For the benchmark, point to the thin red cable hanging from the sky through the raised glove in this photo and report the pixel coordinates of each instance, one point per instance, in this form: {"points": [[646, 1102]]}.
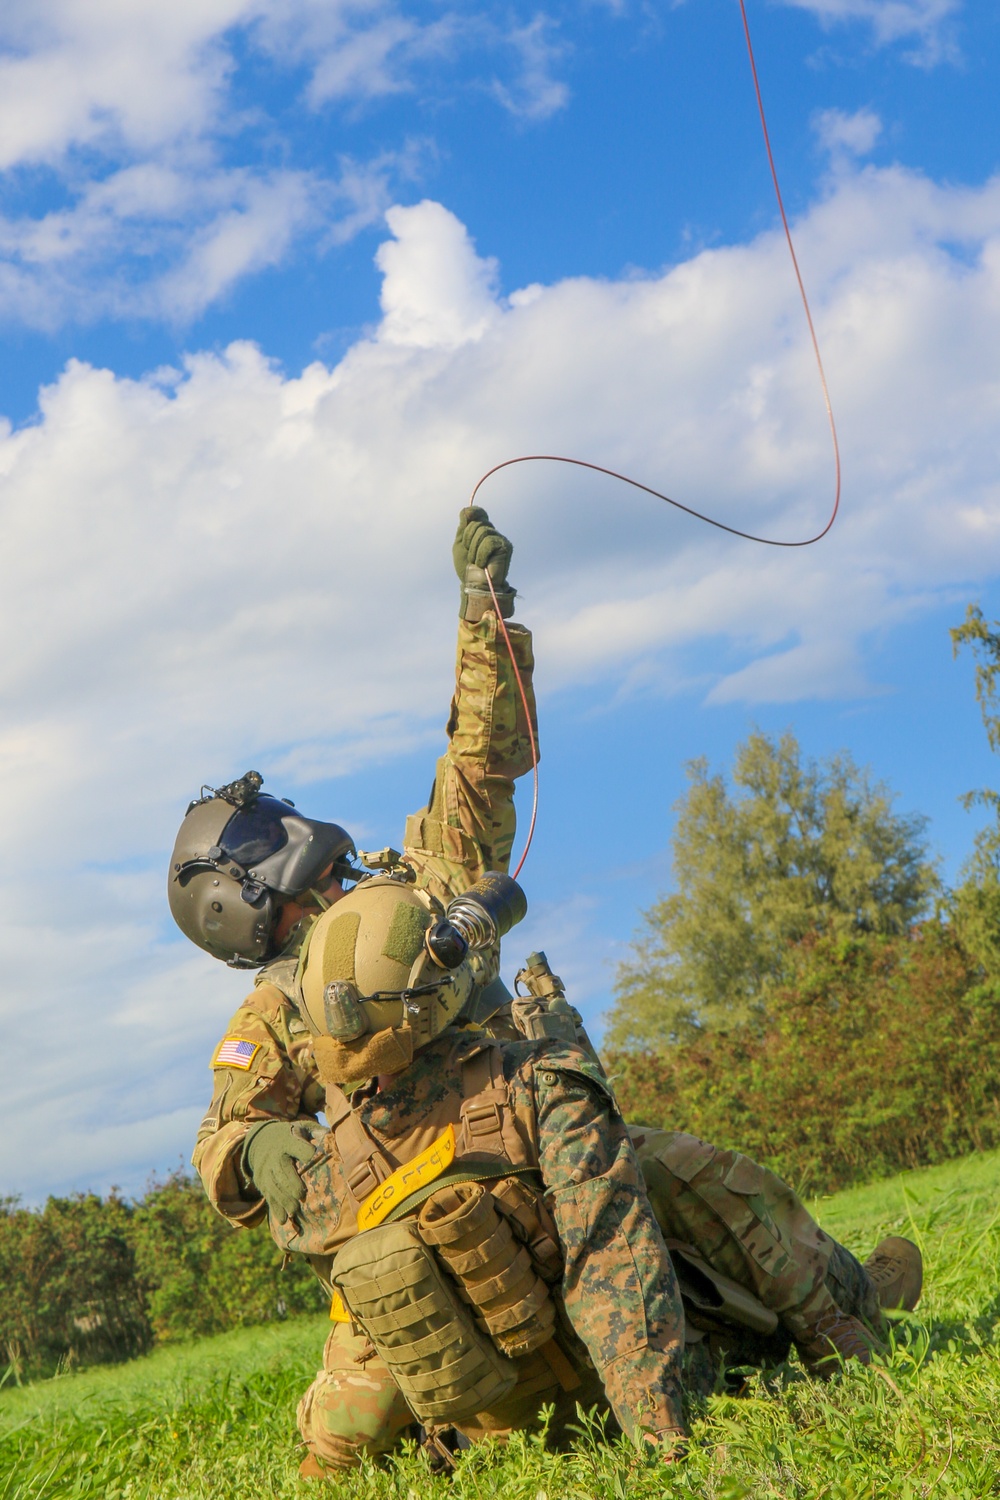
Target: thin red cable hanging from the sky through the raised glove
{"points": [[720, 526]]}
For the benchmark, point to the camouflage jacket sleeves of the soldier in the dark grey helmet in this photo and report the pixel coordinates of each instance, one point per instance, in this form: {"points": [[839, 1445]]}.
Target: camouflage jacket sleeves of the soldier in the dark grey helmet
{"points": [[466, 830]]}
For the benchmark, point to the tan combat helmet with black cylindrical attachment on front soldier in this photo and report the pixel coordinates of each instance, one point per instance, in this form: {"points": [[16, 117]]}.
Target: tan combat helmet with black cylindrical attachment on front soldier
{"points": [[388, 970]]}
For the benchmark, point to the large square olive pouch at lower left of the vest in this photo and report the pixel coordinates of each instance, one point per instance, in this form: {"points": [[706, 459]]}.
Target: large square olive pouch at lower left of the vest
{"points": [[395, 1289]]}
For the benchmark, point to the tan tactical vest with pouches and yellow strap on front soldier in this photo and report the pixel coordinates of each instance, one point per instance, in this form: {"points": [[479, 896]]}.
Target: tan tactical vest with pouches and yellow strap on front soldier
{"points": [[446, 1252]]}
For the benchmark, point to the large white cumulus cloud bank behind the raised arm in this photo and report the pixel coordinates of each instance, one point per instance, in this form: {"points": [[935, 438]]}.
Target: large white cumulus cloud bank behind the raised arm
{"points": [[221, 566]]}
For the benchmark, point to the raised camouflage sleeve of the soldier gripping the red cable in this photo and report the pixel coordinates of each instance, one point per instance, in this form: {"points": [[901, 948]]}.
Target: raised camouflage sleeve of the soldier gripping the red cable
{"points": [[469, 824]]}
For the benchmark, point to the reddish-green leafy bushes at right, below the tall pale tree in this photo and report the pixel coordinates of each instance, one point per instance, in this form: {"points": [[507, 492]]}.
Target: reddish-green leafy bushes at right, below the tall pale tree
{"points": [[881, 1054]]}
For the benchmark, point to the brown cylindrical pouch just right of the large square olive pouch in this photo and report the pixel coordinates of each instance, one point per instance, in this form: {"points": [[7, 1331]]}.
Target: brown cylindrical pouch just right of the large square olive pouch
{"points": [[494, 1273]]}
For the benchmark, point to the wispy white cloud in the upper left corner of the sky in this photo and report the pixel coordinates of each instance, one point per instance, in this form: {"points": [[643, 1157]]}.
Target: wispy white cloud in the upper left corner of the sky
{"points": [[127, 124]]}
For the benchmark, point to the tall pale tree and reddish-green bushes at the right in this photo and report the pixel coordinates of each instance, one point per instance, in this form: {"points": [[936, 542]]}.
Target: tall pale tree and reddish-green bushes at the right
{"points": [[810, 992]]}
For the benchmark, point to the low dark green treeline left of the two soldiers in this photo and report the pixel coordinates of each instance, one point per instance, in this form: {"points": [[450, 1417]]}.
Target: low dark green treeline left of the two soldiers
{"points": [[86, 1280]]}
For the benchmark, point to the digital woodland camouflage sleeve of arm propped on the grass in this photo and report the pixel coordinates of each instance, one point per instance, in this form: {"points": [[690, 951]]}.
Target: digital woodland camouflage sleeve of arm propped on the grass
{"points": [[620, 1288]]}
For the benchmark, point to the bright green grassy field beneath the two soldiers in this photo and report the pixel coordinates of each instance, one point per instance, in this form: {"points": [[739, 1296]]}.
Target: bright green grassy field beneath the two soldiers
{"points": [[215, 1421]]}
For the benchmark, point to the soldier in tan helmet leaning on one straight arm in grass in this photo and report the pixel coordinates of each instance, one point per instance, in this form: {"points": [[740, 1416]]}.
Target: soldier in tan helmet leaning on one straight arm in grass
{"points": [[509, 1166]]}
